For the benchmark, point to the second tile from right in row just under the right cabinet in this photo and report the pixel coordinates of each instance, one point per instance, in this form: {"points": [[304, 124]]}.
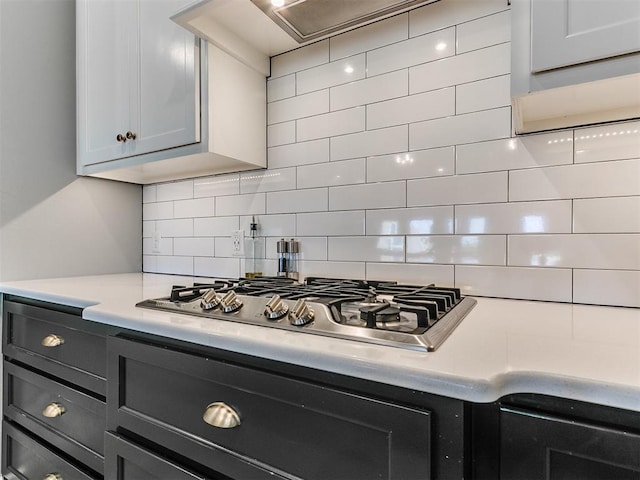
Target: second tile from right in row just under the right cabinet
{"points": [[515, 153]]}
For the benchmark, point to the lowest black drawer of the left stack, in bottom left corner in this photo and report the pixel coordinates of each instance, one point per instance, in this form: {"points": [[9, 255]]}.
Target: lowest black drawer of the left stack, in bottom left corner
{"points": [[24, 458]]}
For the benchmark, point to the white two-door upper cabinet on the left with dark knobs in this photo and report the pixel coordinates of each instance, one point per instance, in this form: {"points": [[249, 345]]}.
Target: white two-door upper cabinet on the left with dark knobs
{"points": [[145, 88]]}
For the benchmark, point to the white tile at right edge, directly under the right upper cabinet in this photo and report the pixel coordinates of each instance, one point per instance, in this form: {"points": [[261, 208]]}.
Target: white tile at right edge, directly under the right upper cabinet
{"points": [[610, 142]]}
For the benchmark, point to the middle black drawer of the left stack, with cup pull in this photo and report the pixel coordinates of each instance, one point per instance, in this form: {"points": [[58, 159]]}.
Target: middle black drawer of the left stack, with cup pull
{"points": [[70, 420]]}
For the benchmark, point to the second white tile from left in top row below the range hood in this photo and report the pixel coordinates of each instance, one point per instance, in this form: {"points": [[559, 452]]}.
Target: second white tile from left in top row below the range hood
{"points": [[369, 37]]}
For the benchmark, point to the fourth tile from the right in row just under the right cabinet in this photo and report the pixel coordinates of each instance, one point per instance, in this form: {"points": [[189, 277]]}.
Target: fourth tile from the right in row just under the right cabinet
{"points": [[344, 172]]}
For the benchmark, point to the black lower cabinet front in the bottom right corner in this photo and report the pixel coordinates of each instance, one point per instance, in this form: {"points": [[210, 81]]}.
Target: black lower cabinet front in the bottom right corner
{"points": [[540, 447]]}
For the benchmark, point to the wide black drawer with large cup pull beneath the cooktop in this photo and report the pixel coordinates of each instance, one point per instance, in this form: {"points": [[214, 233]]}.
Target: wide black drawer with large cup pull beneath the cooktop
{"points": [[295, 428]]}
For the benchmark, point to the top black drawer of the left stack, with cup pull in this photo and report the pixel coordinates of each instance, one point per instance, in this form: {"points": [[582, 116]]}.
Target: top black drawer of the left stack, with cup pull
{"points": [[80, 356]]}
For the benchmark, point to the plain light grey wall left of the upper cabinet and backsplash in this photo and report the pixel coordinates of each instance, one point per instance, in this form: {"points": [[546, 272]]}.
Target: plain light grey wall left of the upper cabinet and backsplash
{"points": [[53, 223]]}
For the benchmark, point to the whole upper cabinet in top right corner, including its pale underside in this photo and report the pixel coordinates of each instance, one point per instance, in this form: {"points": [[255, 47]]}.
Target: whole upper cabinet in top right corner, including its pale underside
{"points": [[574, 62]]}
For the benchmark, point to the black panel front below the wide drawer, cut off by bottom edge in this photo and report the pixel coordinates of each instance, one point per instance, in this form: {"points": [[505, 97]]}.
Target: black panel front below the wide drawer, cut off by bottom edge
{"points": [[127, 461]]}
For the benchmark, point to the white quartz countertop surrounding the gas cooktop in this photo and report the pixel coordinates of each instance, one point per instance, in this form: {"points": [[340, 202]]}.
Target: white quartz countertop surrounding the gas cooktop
{"points": [[580, 352]]}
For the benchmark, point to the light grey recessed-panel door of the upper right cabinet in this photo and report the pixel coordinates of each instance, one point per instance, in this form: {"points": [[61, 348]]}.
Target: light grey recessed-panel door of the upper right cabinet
{"points": [[569, 32]]}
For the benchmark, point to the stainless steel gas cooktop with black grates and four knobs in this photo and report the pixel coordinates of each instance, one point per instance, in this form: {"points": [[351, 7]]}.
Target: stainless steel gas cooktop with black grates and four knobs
{"points": [[410, 316]]}
